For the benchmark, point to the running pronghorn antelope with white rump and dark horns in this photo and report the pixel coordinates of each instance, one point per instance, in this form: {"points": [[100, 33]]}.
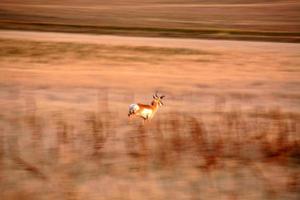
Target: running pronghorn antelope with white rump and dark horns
{"points": [[146, 111]]}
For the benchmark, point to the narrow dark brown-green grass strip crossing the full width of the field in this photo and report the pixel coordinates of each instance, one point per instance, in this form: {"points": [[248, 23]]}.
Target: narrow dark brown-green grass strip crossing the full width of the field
{"points": [[236, 34]]}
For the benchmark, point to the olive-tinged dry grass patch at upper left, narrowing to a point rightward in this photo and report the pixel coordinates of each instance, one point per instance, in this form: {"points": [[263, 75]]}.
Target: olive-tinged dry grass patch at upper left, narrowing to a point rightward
{"points": [[38, 51]]}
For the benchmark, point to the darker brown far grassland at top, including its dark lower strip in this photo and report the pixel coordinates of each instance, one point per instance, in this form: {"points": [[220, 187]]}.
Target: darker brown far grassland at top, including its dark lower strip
{"points": [[266, 20]]}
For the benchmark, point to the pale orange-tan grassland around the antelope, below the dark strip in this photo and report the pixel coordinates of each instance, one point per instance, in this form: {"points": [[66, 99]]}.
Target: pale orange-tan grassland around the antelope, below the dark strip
{"points": [[229, 128]]}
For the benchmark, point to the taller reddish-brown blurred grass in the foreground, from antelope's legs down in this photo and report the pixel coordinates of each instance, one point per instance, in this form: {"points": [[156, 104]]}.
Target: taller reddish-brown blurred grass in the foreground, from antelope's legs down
{"points": [[75, 152]]}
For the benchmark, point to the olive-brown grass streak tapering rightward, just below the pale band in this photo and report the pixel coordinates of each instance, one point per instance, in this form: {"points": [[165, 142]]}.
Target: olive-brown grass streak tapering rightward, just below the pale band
{"points": [[86, 51]]}
